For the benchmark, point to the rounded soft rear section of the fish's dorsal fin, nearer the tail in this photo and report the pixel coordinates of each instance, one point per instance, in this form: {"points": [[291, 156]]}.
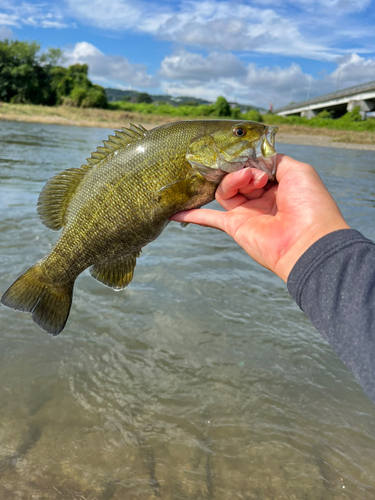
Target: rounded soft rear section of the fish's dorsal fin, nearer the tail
{"points": [[56, 195]]}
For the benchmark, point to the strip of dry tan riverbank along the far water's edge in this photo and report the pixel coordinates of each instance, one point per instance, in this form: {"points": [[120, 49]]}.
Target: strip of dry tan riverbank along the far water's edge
{"points": [[114, 119]]}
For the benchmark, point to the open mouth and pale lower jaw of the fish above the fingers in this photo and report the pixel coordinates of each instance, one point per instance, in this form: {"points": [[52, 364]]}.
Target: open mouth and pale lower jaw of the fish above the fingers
{"points": [[261, 156]]}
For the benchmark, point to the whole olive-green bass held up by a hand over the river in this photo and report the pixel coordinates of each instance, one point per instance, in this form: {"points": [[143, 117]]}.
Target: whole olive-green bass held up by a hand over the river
{"points": [[121, 199]]}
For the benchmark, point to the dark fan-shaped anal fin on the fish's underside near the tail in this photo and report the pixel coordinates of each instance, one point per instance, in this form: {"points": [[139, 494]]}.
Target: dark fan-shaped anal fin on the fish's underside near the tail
{"points": [[116, 273]]}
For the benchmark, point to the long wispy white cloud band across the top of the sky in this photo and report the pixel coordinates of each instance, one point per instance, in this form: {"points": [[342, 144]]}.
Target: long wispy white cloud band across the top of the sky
{"points": [[209, 24]]}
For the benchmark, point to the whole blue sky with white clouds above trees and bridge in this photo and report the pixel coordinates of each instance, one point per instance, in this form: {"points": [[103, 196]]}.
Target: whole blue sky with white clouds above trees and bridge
{"points": [[251, 52]]}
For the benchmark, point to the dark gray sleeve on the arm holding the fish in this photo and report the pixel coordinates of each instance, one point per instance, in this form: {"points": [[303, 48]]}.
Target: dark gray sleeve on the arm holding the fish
{"points": [[333, 282]]}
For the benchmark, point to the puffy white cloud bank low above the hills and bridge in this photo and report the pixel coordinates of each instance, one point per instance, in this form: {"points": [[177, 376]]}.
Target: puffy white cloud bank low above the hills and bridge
{"points": [[261, 85]]}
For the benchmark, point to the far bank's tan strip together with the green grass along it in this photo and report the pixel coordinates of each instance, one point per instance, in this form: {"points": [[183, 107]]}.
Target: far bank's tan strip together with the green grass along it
{"points": [[116, 118]]}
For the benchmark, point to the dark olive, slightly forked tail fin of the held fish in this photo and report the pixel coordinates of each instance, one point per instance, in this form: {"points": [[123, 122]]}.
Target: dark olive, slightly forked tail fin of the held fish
{"points": [[49, 304]]}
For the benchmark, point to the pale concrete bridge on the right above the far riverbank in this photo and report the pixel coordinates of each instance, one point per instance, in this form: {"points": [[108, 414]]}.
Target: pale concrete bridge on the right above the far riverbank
{"points": [[339, 102]]}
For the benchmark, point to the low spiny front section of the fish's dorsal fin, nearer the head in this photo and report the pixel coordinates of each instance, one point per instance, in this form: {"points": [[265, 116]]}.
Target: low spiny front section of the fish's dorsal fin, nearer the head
{"points": [[116, 142]]}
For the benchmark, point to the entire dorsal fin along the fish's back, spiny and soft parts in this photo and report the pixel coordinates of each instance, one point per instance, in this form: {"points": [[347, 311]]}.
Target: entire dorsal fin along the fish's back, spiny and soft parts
{"points": [[56, 195]]}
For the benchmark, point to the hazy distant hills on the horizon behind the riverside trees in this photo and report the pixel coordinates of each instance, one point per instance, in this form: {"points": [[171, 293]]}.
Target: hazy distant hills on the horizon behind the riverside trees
{"points": [[118, 95]]}
